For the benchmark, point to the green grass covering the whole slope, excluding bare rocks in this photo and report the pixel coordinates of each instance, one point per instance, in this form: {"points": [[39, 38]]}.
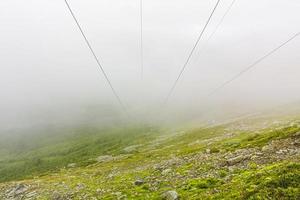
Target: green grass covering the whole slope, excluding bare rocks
{"points": [[191, 176]]}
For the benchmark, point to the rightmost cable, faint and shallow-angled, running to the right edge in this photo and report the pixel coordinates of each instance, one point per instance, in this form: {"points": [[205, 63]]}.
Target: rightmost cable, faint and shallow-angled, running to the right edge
{"points": [[253, 65]]}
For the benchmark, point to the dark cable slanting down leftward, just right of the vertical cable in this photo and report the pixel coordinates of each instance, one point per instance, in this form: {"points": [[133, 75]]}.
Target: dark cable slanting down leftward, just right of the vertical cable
{"points": [[191, 53]]}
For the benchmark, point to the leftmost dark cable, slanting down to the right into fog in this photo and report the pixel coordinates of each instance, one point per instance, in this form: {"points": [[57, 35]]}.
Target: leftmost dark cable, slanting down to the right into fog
{"points": [[96, 58]]}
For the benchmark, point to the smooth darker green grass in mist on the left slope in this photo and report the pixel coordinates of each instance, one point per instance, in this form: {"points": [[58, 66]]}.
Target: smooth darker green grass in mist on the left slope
{"points": [[81, 148]]}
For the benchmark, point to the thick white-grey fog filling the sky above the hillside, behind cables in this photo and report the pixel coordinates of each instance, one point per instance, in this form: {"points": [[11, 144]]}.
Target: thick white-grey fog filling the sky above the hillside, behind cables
{"points": [[48, 75]]}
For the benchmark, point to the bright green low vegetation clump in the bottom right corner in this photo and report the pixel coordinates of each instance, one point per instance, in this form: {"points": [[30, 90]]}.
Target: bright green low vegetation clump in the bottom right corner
{"points": [[276, 181]]}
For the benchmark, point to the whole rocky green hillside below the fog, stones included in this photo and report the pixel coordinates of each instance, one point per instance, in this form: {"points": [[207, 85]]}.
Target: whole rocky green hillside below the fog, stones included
{"points": [[248, 159]]}
